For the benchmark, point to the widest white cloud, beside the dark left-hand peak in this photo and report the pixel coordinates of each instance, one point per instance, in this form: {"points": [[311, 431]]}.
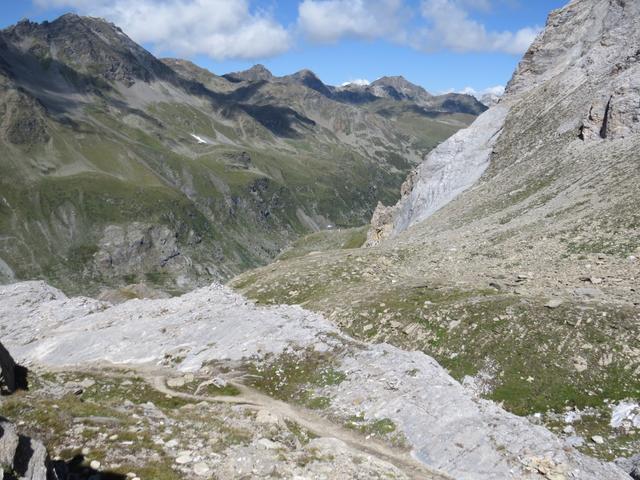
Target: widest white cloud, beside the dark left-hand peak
{"points": [[220, 29]]}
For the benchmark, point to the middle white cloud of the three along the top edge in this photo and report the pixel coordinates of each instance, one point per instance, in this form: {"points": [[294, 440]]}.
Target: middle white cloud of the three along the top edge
{"points": [[330, 20]]}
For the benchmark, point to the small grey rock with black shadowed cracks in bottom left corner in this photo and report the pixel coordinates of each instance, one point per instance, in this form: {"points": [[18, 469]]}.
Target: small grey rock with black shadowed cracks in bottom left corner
{"points": [[26, 457]]}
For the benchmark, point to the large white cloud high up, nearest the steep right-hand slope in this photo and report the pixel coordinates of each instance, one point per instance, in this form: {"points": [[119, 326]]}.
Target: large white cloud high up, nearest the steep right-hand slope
{"points": [[451, 28]]}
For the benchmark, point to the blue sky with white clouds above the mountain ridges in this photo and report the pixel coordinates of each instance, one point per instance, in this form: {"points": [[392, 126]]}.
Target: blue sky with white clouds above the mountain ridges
{"points": [[442, 45]]}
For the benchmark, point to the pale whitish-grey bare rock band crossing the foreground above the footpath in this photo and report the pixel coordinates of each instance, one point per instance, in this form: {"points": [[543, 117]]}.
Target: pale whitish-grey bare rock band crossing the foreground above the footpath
{"points": [[446, 426]]}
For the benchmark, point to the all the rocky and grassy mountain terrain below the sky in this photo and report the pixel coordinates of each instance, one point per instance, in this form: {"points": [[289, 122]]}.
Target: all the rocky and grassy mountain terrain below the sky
{"points": [[484, 324]]}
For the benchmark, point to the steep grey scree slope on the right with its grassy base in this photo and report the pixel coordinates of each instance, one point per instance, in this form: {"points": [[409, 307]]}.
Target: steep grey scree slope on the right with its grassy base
{"points": [[512, 257]]}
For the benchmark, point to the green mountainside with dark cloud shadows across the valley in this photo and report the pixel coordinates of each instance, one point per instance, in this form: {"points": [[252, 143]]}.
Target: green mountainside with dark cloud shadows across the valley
{"points": [[118, 168]]}
